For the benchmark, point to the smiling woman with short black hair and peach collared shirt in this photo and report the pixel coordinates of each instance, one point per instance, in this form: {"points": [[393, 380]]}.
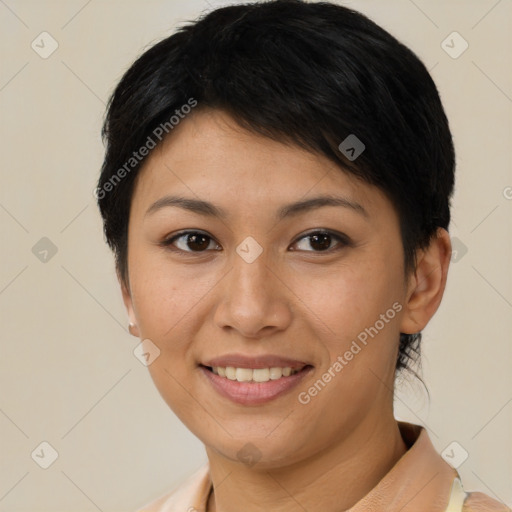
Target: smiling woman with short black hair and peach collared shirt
{"points": [[276, 190]]}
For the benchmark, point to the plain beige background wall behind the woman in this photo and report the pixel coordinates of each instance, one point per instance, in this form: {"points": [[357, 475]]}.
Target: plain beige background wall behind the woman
{"points": [[68, 374]]}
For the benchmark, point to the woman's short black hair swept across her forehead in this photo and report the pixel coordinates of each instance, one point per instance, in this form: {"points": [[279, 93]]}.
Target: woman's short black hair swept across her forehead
{"points": [[309, 74]]}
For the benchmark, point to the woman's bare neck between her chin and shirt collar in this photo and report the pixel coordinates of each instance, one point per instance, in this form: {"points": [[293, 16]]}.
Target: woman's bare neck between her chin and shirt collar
{"points": [[333, 480]]}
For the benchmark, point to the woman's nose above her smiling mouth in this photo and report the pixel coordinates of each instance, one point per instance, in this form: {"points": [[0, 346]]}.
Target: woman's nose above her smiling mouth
{"points": [[253, 300]]}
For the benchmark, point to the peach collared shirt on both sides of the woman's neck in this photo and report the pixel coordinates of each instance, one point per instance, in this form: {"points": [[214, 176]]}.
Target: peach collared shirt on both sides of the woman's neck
{"points": [[421, 481]]}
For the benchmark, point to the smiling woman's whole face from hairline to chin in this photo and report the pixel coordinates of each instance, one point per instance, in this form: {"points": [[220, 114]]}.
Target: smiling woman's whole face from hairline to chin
{"points": [[274, 278]]}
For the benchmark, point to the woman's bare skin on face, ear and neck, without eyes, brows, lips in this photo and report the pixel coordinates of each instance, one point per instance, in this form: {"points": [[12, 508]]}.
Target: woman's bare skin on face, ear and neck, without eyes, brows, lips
{"points": [[294, 300]]}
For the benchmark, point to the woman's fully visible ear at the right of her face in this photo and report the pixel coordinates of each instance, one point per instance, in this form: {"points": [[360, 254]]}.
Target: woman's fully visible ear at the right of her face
{"points": [[427, 284]]}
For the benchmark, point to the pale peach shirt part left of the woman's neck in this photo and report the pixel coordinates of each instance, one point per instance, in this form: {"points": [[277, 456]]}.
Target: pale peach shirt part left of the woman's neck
{"points": [[190, 495]]}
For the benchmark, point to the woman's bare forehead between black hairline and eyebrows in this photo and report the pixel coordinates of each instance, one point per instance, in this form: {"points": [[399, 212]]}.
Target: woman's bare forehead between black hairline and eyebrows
{"points": [[210, 157]]}
